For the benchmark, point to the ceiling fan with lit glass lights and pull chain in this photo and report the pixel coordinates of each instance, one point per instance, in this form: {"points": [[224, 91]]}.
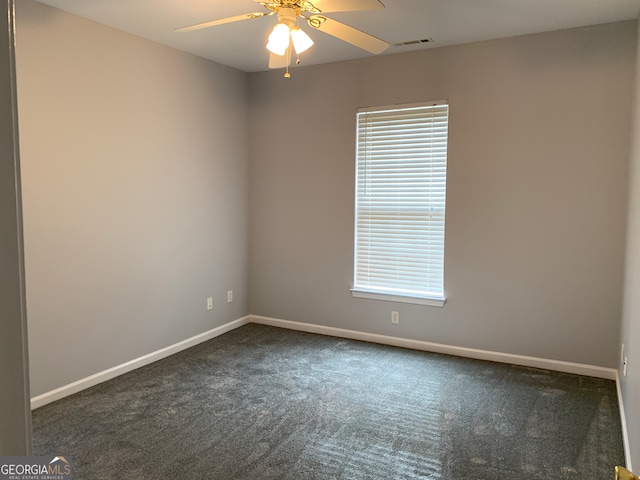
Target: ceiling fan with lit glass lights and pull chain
{"points": [[287, 35]]}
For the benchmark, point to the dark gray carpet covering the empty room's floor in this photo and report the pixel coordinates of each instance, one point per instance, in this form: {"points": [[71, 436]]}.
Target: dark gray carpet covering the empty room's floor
{"points": [[266, 403]]}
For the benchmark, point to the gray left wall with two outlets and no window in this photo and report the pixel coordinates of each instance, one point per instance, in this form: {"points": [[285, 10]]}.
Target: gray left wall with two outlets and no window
{"points": [[135, 194]]}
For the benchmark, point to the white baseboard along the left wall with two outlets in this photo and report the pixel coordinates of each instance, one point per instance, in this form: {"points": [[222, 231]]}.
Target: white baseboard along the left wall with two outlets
{"points": [[113, 372]]}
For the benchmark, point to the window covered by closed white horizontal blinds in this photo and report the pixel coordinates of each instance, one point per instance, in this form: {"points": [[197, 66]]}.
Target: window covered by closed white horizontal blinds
{"points": [[401, 169]]}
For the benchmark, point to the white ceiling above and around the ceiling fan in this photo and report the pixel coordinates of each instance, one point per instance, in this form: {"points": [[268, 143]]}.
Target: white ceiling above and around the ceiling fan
{"points": [[242, 44]]}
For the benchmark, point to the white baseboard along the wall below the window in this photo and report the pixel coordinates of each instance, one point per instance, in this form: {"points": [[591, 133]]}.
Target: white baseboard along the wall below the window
{"points": [[557, 365]]}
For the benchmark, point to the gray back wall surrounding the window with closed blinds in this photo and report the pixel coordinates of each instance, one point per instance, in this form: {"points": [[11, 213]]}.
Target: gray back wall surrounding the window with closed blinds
{"points": [[537, 189]]}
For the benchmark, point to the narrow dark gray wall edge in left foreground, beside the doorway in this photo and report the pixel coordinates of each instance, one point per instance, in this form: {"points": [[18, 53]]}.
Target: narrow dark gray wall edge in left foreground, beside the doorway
{"points": [[15, 416]]}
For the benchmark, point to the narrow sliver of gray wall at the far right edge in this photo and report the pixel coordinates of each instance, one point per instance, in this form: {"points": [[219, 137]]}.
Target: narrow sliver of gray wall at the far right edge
{"points": [[631, 307]]}
